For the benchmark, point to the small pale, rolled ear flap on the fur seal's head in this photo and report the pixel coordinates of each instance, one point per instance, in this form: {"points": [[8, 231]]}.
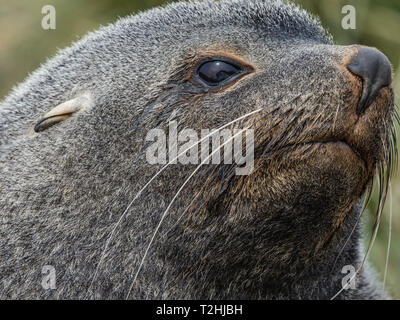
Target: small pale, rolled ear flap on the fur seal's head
{"points": [[63, 111]]}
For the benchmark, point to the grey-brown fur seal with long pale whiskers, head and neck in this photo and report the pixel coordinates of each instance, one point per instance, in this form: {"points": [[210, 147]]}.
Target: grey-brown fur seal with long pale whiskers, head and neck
{"points": [[78, 195]]}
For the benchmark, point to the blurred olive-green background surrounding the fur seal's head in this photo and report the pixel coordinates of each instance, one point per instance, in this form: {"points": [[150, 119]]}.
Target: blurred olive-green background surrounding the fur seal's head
{"points": [[24, 45]]}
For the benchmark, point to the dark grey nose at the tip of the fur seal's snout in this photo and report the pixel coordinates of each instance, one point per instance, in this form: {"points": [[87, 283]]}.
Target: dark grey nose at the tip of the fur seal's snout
{"points": [[375, 71]]}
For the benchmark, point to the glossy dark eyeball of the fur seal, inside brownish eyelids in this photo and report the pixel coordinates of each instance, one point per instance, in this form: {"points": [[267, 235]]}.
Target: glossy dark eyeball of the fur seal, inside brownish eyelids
{"points": [[216, 72]]}
